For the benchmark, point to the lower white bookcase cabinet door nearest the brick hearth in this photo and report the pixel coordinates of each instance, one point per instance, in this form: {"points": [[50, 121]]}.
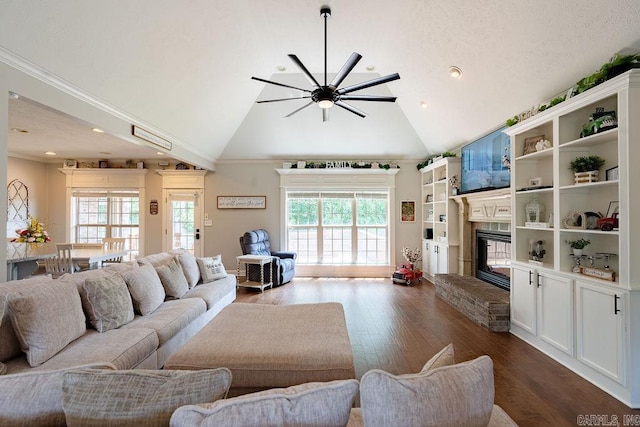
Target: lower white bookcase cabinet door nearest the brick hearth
{"points": [[523, 298]]}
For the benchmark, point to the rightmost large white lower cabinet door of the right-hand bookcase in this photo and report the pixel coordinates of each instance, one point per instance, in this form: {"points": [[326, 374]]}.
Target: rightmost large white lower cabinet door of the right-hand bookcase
{"points": [[600, 329]]}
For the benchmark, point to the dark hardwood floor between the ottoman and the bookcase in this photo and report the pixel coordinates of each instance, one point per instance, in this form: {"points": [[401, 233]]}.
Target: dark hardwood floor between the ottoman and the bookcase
{"points": [[398, 328]]}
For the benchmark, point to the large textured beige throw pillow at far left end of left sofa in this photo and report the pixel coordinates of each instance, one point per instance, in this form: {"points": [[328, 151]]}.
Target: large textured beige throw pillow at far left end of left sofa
{"points": [[31, 315]]}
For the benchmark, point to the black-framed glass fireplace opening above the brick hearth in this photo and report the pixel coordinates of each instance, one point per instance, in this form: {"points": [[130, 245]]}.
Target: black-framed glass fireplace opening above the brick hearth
{"points": [[493, 257]]}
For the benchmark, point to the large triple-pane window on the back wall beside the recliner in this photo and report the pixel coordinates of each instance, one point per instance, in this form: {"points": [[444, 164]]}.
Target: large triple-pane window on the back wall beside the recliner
{"points": [[339, 228]]}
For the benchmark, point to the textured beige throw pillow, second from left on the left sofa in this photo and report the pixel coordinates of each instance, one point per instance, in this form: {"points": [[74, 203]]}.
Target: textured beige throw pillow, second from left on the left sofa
{"points": [[107, 302]]}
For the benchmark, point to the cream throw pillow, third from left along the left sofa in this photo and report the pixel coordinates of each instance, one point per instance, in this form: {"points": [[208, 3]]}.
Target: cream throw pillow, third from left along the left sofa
{"points": [[145, 288]]}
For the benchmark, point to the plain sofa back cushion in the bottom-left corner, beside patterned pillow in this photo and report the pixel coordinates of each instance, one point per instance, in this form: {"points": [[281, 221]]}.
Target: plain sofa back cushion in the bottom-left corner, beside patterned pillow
{"points": [[35, 398]]}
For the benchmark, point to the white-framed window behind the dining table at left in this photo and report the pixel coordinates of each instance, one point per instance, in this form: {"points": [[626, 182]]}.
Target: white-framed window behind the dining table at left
{"points": [[99, 214]]}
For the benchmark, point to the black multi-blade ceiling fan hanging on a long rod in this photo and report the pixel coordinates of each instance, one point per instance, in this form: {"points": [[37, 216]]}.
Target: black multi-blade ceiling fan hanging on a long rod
{"points": [[328, 94]]}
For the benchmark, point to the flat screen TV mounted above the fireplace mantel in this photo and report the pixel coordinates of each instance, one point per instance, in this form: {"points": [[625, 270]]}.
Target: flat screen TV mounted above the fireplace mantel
{"points": [[485, 164]]}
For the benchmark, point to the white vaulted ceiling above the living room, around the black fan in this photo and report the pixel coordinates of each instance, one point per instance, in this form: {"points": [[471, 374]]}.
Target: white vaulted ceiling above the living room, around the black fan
{"points": [[184, 67]]}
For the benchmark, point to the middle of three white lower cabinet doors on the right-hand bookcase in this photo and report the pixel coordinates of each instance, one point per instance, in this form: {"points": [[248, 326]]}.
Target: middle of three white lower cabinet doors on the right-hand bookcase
{"points": [[555, 311]]}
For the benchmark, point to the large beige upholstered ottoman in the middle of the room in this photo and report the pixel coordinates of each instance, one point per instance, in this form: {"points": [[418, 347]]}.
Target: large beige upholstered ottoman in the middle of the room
{"points": [[267, 346]]}
